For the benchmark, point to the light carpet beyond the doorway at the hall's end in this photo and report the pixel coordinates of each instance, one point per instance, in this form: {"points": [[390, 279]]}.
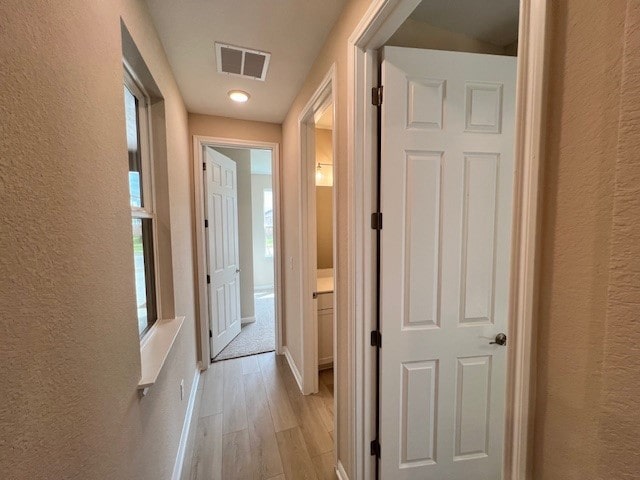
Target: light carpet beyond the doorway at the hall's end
{"points": [[256, 337]]}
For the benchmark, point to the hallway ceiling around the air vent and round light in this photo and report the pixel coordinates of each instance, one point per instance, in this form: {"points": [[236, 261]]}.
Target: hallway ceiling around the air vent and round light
{"points": [[293, 31]]}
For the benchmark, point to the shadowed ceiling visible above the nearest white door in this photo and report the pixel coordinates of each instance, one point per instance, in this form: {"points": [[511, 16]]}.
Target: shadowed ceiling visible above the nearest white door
{"points": [[492, 21]]}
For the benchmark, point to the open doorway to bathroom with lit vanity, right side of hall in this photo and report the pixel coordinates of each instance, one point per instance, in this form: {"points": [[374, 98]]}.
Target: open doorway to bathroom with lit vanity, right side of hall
{"points": [[318, 242]]}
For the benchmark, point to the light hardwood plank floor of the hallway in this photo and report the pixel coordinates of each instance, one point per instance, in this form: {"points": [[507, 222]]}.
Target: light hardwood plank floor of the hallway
{"points": [[253, 423]]}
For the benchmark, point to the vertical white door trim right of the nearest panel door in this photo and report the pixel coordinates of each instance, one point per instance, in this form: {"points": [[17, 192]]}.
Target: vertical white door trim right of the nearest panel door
{"points": [[530, 100]]}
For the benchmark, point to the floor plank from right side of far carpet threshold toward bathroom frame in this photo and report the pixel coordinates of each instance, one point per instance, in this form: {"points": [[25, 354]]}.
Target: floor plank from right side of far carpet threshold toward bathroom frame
{"points": [[277, 396]]}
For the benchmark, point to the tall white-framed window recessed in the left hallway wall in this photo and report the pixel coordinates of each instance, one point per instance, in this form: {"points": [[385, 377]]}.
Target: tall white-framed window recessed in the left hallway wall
{"points": [[141, 201]]}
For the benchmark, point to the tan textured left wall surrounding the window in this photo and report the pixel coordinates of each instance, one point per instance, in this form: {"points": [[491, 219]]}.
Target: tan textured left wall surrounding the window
{"points": [[70, 362]]}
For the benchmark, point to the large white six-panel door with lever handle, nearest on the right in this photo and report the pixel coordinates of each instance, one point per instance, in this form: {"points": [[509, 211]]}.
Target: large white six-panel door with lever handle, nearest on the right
{"points": [[446, 192]]}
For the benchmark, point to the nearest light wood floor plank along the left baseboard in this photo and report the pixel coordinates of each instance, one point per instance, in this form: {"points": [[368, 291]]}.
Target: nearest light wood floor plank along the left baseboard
{"points": [[207, 458]]}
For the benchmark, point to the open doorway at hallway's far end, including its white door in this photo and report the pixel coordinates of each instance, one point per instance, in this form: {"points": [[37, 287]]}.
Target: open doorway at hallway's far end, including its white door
{"points": [[238, 247]]}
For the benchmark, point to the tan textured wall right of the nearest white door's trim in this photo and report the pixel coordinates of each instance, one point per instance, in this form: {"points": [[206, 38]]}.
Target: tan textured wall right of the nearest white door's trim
{"points": [[587, 420]]}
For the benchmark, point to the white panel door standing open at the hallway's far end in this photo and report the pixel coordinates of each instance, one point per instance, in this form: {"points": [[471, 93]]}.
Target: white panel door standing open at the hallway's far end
{"points": [[221, 212]]}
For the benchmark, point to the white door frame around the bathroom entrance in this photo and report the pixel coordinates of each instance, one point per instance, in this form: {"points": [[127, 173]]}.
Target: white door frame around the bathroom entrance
{"points": [[319, 101]]}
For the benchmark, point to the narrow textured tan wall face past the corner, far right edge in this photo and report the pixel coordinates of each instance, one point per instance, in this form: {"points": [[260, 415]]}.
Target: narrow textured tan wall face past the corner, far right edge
{"points": [[619, 422]]}
